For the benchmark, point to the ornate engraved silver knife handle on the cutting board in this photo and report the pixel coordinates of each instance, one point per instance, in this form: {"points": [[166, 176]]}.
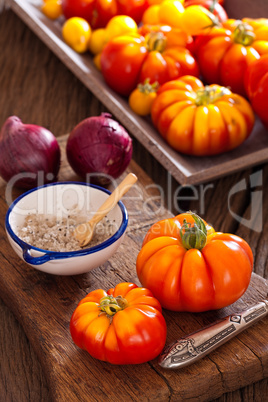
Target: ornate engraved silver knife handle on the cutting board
{"points": [[195, 346]]}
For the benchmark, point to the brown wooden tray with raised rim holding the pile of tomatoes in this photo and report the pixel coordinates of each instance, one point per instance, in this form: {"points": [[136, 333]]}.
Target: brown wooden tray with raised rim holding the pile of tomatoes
{"points": [[185, 169]]}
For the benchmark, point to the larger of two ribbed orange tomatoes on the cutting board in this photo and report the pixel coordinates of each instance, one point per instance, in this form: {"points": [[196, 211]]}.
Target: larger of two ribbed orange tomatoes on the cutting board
{"points": [[189, 267]]}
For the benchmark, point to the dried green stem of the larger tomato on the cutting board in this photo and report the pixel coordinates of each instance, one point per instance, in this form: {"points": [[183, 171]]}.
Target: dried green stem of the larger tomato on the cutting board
{"points": [[194, 235]]}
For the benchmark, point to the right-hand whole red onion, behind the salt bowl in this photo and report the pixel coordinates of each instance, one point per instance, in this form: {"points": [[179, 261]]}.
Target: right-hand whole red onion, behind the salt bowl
{"points": [[99, 149]]}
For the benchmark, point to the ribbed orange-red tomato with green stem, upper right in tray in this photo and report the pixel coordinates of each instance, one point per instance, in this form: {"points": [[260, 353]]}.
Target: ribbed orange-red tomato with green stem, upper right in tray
{"points": [[225, 53]]}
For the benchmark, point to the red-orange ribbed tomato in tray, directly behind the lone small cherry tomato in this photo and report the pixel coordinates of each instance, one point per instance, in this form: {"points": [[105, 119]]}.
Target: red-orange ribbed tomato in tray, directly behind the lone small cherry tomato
{"points": [[128, 60]]}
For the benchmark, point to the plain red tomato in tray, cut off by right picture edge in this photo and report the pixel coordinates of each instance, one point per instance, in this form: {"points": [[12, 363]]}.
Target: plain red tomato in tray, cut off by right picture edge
{"points": [[256, 83]]}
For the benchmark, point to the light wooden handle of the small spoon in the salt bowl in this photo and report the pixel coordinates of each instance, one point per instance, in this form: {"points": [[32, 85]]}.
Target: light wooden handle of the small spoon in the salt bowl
{"points": [[116, 195]]}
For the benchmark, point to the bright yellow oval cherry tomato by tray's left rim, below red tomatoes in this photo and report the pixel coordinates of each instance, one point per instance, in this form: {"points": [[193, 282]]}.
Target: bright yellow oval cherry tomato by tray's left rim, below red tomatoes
{"points": [[76, 32]]}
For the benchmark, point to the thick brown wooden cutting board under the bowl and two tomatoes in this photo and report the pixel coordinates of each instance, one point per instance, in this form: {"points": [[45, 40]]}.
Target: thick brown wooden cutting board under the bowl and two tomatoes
{"points": [[44, 303]]}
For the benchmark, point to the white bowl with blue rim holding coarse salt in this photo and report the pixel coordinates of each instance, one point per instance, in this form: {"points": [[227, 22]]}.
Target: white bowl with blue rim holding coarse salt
{"points": [[55, 199]]}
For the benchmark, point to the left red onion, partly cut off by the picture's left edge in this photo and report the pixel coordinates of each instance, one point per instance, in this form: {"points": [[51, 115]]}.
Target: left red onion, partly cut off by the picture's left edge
{"points": [[28, 149]]}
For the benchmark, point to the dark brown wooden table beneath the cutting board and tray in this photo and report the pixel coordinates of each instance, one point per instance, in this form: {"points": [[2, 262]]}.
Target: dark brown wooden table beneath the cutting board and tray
{"points": [[38, 88]]}
